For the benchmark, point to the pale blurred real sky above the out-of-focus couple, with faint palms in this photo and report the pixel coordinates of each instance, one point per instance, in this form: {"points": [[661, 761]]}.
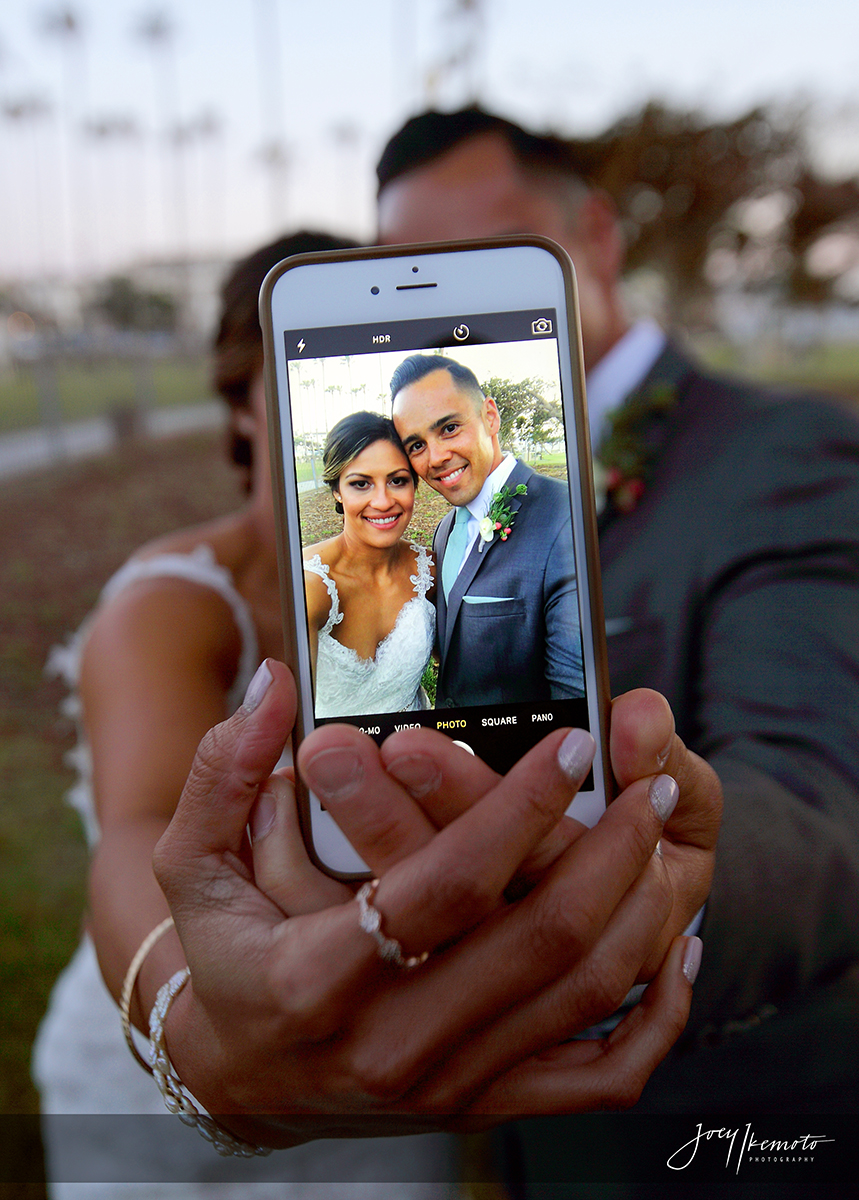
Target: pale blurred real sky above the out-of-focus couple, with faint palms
{"points": [[93, 177]]}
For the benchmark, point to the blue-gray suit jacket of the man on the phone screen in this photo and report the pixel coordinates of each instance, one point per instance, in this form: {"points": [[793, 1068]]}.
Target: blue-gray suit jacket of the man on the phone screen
{"points": [[509, 631]]}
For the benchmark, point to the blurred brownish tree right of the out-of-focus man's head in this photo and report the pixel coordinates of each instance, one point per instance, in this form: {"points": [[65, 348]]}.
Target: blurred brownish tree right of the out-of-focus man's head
{"points": [[710, 202]]}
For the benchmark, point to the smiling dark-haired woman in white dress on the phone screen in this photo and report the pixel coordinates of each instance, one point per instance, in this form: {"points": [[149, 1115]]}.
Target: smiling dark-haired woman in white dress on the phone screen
{"points": [[370, 616]]}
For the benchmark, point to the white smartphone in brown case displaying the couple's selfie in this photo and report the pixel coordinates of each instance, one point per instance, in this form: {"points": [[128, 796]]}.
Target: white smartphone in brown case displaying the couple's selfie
{"points": [[478, 509]]}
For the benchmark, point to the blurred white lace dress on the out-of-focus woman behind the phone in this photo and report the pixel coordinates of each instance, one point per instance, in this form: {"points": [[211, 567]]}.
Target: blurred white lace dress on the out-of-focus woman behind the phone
{"points": [[106, 1131]]}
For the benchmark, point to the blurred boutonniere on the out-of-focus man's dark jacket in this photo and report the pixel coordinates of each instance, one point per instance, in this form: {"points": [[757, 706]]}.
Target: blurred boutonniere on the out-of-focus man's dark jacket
{"points": [[624, 461]]}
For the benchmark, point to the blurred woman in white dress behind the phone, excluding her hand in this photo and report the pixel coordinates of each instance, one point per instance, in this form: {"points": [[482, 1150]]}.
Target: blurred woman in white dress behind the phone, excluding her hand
{"points": [[167, 653]]}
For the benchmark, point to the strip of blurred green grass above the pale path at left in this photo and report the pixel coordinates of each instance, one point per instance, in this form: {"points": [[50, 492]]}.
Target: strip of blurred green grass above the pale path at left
{"points": [[82, 391]]}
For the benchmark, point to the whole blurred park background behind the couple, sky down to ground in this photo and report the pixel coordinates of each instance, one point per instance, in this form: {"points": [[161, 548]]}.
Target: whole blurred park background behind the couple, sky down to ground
{"points": [[145, 147]]}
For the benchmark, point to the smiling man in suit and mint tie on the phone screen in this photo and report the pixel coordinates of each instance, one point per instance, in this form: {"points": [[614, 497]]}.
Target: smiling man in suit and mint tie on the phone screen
{"points": [[506, 598]]}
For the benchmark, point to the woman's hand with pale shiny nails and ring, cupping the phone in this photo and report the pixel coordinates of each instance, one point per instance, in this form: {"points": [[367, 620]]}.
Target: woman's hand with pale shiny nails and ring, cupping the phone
{"points": [[292, 1024]]}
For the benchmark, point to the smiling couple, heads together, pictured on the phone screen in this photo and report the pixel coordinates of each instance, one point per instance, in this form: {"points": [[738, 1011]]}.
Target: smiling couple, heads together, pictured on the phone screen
{"points": [[495, 604]]}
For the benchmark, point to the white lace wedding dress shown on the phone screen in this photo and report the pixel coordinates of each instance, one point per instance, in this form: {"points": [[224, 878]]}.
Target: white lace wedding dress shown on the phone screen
{"points": [[391, 682]]}
